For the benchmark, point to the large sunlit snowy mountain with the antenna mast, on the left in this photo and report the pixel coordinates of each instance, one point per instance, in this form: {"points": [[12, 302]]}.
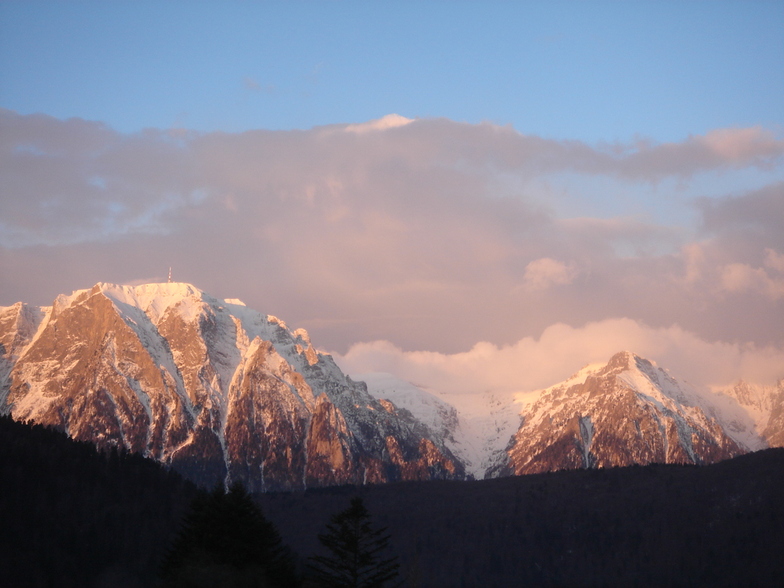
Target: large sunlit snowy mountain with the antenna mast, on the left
{"points": [[216, 390]]}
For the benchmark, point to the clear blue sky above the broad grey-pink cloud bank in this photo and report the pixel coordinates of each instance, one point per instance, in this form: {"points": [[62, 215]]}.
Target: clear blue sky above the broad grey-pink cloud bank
{"points": [[591, 71]]}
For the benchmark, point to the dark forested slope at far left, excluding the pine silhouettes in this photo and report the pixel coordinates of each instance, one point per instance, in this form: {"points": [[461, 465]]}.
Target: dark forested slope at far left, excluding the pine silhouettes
{"points": [[71, 516]]}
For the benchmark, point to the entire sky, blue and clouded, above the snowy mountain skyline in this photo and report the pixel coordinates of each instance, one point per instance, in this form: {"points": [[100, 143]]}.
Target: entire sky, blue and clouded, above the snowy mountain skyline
{"points": [[473, 196]]}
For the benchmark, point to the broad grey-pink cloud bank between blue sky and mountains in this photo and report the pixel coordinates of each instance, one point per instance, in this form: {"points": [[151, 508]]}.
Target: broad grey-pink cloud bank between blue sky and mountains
{"points": [[429, 233]]}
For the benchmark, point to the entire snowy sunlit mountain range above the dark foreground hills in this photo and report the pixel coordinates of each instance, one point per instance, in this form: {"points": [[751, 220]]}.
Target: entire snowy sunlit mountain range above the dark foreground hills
{"points": [[222, 393]]}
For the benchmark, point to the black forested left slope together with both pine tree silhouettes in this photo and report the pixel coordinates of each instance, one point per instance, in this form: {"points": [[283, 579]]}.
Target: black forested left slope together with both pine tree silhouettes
{"points": [[71, 516]]}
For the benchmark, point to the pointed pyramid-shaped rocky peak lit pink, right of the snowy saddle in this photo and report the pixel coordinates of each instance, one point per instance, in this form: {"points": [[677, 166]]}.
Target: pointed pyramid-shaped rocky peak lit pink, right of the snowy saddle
{"points": [[626, 412]]}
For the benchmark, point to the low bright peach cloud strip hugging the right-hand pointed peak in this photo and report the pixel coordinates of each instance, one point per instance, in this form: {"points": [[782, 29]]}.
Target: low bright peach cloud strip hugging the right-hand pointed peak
{"points": [[535, 363]]}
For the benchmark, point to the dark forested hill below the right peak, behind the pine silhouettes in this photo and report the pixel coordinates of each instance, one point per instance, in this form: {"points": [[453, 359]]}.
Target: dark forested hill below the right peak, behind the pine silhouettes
{"points": [[655, 525]]}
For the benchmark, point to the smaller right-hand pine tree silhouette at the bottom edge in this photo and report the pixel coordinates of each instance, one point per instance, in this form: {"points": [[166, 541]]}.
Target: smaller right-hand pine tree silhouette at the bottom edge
{"points": [[356, 552]]}
